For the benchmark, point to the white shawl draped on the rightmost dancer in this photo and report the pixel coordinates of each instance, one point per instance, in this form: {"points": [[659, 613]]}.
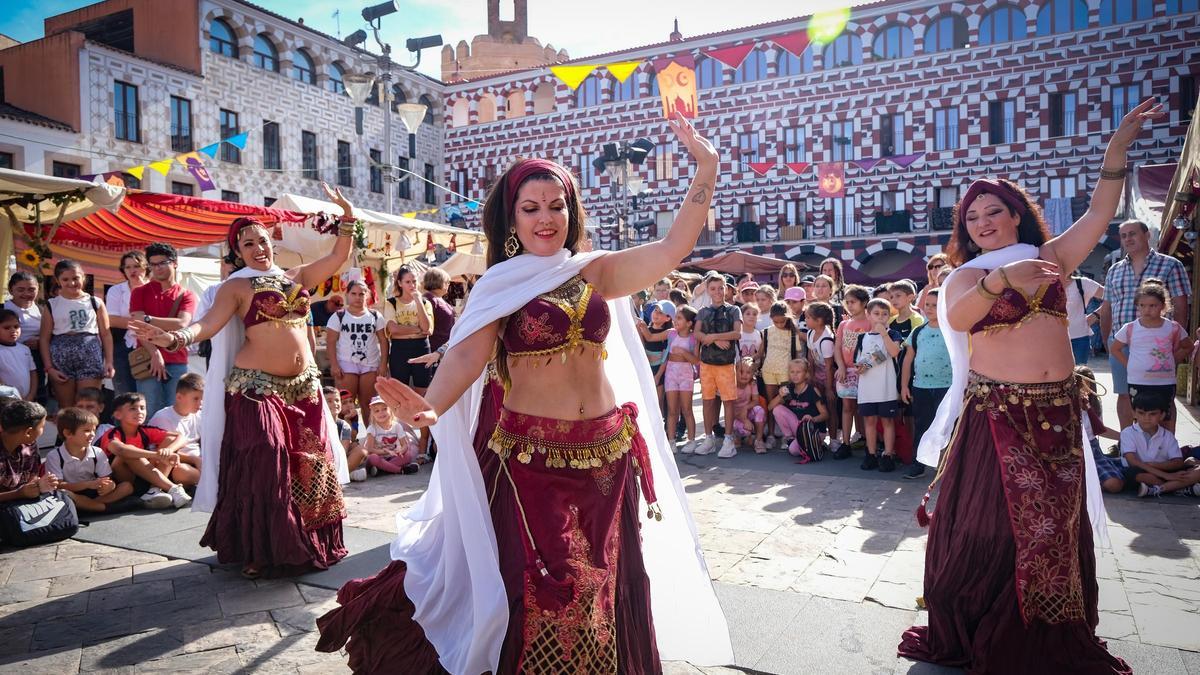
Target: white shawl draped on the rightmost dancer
{"points": [[939, 435]]}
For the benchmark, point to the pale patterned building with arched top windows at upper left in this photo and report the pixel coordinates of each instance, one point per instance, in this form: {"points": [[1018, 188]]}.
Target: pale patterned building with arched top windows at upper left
{"points": [[124, 83]]}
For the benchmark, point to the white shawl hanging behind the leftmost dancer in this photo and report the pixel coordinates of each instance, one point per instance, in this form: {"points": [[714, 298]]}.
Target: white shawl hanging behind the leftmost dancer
{"points": [[225, 349]]}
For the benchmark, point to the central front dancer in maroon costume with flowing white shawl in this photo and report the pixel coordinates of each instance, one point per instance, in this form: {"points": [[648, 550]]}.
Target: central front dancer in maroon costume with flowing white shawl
{"points": [[555, 536]]}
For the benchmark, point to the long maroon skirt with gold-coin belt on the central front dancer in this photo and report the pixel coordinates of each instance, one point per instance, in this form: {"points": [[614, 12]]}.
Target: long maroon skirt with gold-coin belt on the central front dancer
{"points": [[591, 611]]}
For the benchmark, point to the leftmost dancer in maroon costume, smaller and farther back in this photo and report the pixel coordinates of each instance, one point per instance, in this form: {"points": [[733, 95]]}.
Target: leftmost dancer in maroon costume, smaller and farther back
{"points": [[273, 462]]}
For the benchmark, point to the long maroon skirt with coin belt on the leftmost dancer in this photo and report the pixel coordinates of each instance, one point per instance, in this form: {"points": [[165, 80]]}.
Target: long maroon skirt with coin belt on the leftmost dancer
{"points": [[279, 503]]}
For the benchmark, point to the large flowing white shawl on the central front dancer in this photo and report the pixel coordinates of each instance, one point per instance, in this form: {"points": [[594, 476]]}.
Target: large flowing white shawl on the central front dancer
{"points": [[449, 545]]}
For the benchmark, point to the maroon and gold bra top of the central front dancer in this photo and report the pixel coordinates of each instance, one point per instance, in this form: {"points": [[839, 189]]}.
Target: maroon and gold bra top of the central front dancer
{"points": [[572, 319]]}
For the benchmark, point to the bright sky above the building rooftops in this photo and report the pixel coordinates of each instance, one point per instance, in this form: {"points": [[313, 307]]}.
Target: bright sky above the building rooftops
{"points": [[581, 28]]}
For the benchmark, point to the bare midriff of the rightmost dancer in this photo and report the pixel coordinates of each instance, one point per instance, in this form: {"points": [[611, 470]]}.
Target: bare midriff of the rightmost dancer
{"points": [[1035, 351]]}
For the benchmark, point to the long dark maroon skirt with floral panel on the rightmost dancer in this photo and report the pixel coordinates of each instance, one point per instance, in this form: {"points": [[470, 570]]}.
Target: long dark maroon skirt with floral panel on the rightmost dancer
{"points": [[1010, 565]]}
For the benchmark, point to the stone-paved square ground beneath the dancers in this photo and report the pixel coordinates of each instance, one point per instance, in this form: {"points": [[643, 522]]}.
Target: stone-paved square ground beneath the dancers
{"points": [[818, 568]]}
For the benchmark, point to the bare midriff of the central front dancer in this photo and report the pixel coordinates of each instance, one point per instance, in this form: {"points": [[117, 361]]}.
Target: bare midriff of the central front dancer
{"points": [[561, 390]]}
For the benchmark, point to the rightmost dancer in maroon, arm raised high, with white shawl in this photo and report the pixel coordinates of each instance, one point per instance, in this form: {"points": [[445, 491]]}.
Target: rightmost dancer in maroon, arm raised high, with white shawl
{"points": [[1010, 565]]}
